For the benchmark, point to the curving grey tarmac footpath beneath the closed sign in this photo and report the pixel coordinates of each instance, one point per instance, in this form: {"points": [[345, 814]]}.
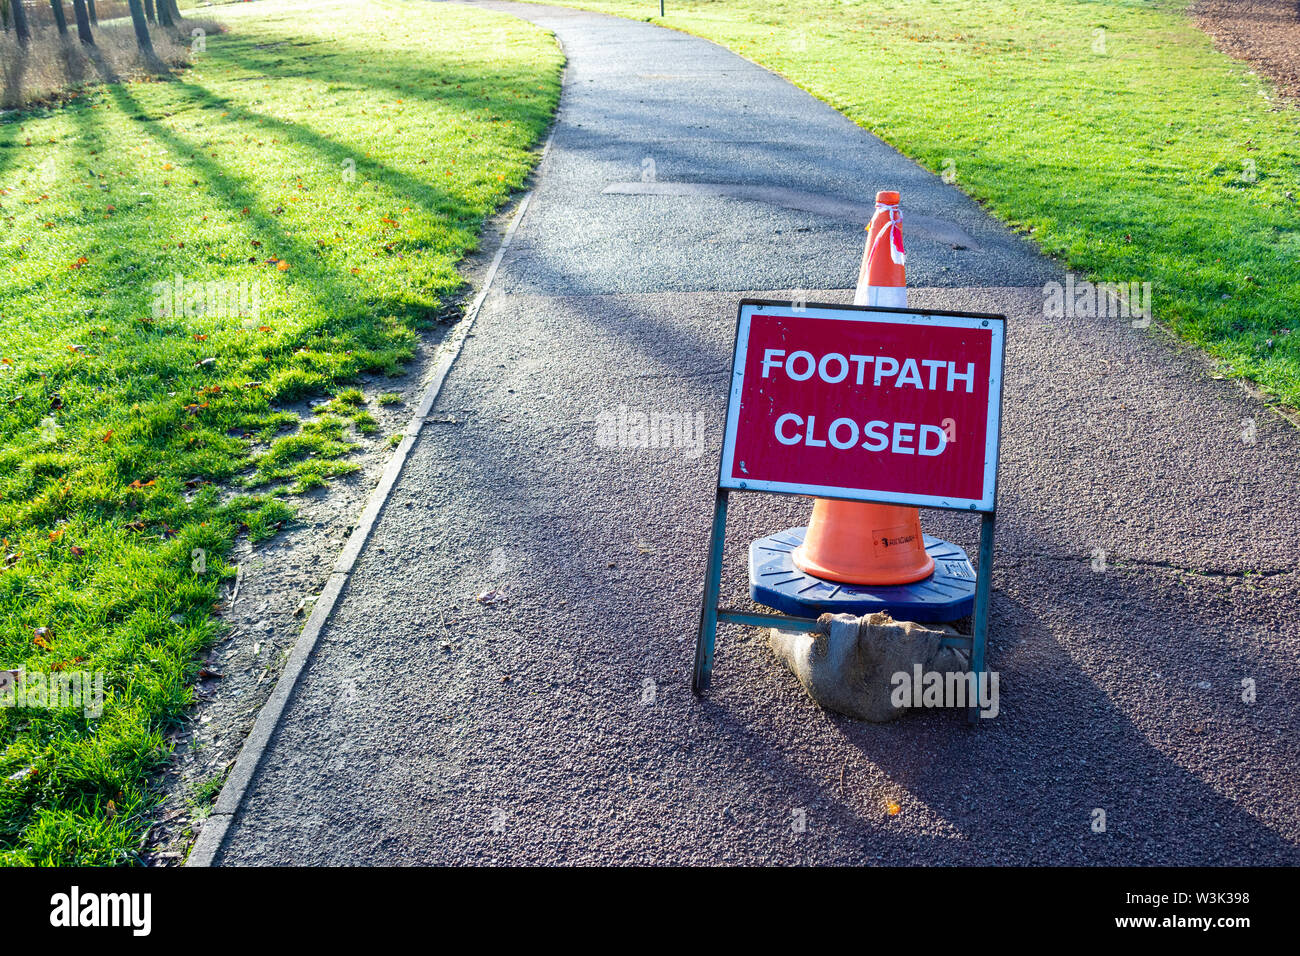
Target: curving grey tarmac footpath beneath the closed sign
{"points": [[558, 726]]}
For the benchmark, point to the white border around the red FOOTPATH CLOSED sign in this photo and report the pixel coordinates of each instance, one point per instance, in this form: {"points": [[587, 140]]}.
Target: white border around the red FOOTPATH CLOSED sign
{"points": [[995, 326]]}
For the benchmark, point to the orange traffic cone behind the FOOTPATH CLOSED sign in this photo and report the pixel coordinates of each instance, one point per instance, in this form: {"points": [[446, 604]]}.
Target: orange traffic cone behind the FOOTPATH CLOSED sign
{"points": [[853, 542]]}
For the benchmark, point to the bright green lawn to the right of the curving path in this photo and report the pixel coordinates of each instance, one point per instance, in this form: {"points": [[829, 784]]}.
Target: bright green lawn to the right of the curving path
{"points": [[1150, 158]]}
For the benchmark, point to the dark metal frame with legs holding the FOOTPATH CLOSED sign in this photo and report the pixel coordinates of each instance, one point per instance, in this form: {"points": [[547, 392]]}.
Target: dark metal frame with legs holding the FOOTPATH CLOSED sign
{"points": [[712, 615]]}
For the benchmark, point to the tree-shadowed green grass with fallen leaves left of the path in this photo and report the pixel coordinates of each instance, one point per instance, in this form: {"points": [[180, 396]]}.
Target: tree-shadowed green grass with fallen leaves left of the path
{"points": [[340, 158]]}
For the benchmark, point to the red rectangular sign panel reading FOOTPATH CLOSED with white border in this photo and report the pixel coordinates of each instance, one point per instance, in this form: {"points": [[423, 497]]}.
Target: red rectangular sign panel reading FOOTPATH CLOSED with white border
{"points": [[865, 404]]}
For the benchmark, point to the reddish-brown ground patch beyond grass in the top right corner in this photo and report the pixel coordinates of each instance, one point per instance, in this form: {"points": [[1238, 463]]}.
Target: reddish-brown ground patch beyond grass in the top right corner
{"points": [[1266, 33]]}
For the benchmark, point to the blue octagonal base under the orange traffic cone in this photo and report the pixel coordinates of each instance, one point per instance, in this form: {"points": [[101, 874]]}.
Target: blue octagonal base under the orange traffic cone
{"points": [[947, 595]]}
